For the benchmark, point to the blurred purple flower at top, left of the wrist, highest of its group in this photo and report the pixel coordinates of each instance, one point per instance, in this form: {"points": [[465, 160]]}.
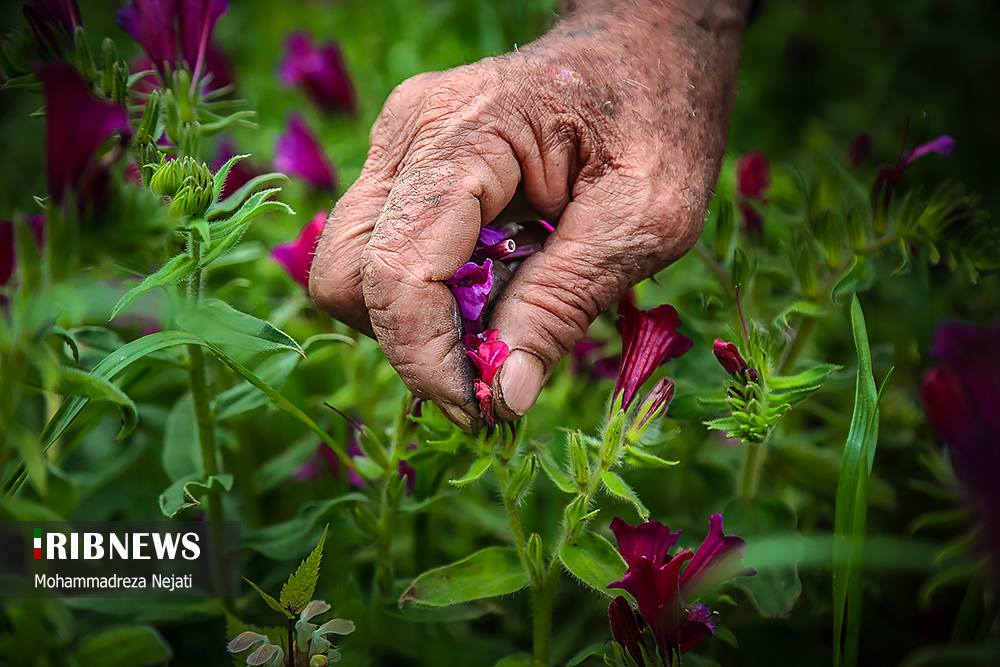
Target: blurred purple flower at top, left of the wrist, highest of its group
{"points": [[319, 70]]}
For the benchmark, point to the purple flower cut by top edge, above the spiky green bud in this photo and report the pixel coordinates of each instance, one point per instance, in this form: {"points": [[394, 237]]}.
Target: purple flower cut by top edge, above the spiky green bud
{"points": [[173, 31]]}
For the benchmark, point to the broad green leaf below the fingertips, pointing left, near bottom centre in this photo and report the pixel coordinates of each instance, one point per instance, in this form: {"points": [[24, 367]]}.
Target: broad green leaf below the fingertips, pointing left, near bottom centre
{"points": [[488, 573]]}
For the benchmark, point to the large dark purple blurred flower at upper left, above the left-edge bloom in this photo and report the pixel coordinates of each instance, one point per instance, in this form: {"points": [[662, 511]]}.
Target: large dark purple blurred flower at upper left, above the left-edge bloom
{"points": [[76, 124]]}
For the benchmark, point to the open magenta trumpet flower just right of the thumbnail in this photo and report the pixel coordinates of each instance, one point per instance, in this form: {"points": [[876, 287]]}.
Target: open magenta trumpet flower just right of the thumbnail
{"points": [[649, 338]]}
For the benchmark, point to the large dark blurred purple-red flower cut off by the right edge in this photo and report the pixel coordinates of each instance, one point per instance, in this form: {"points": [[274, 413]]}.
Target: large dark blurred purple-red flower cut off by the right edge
{"points": [[962, 396]]}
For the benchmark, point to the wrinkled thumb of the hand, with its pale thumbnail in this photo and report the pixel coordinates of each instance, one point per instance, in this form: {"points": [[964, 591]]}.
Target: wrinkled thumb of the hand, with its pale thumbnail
{"points": [[607, 240]]}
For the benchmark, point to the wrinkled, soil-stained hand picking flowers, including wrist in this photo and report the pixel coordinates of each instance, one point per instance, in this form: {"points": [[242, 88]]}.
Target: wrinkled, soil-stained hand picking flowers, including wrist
{"points": [[614, 124]]}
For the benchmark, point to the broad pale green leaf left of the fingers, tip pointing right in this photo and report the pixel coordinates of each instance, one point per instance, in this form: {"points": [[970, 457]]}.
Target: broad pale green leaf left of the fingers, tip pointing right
{"points": [[220, 323]]}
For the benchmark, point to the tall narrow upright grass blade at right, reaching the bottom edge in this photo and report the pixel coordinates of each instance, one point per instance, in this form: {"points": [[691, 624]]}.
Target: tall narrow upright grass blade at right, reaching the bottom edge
{"points": [[851, 509]]}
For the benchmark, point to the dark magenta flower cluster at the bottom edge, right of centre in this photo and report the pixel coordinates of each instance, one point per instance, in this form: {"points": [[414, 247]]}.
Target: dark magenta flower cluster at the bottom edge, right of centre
{"points": [[662, 590]]}
